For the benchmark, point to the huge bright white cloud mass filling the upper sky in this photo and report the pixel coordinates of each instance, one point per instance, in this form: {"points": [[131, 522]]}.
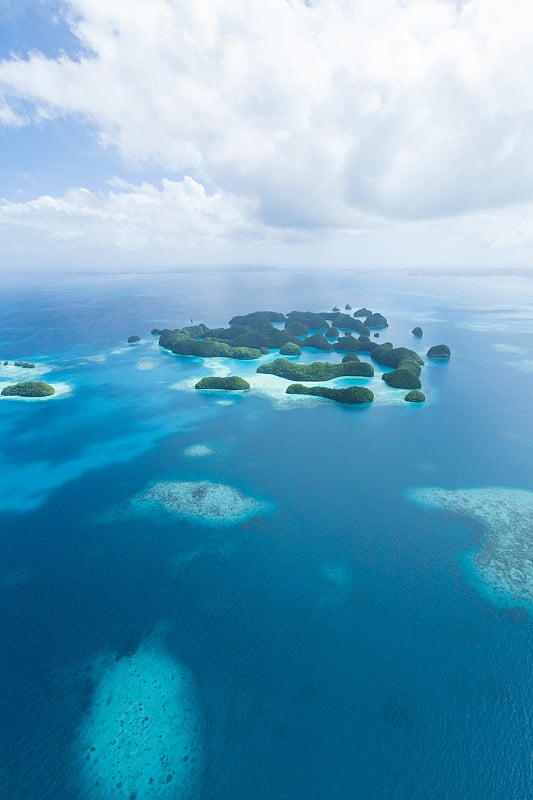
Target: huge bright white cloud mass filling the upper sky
{"points": [[326, 114]]}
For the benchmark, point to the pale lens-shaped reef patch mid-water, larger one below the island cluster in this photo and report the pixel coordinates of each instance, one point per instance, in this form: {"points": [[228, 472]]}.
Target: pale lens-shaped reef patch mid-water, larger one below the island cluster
{"points": [[200, 501]]}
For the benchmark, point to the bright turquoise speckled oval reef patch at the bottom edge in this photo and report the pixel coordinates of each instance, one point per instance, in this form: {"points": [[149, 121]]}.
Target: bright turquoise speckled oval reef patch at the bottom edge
{"points": [[142, 735]]}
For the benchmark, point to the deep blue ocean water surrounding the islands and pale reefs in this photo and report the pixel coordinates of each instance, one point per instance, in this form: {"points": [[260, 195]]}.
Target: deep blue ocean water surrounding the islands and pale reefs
{"points": [[338, 647]]}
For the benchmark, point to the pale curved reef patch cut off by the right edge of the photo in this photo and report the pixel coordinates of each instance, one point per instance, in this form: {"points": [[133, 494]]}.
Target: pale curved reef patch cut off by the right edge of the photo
{"points": [[504, 562]]}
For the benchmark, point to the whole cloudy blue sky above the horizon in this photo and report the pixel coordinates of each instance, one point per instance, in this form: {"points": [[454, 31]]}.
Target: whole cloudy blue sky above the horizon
{"points": [[158, 134]]}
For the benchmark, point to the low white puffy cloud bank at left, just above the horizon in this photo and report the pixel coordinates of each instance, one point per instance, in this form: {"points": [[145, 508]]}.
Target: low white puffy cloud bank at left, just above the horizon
{"points": [[132, 218]]}
